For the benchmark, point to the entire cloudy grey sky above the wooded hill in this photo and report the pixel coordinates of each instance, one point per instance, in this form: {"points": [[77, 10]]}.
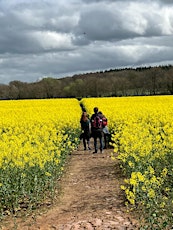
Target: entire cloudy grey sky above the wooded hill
{"points": [[57, 38]]}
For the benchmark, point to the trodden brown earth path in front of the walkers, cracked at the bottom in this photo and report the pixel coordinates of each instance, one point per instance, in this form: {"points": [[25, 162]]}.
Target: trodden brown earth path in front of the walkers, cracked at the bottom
{"points": [[89, 197]]}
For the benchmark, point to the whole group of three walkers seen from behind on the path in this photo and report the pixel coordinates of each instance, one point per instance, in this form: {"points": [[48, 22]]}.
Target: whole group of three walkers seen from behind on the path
{"points": [[95, 127]]}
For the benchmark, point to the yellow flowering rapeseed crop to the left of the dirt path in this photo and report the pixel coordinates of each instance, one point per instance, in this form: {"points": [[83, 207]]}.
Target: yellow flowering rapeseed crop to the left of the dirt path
{"points": [[35, 138]]}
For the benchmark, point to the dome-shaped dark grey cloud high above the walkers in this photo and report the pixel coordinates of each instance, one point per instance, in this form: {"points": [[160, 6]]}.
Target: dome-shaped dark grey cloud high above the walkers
{"points": [[99, 24]]}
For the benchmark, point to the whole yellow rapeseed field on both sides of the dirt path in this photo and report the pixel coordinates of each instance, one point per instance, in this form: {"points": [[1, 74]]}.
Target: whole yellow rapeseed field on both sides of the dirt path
{"points": [[37, 135]]}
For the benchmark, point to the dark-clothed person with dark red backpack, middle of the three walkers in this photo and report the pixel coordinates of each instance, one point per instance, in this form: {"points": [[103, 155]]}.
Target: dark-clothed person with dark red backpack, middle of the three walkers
{"points": [[97, 130]]}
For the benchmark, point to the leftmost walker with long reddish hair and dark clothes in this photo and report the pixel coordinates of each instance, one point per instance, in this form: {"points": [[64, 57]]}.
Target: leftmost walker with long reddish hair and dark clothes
{"points": [[85, 126]]}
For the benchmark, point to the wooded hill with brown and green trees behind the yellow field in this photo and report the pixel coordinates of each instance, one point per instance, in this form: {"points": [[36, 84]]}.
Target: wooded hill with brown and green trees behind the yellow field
{"points": [[114, 82]]}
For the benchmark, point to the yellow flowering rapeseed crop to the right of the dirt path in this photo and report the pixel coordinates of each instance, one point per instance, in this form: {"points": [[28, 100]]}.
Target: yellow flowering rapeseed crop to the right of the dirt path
{"points": [[142, 135]]}
